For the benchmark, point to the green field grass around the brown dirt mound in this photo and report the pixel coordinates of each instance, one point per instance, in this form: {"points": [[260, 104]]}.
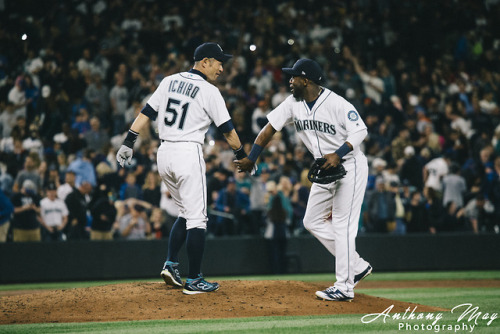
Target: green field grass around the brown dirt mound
{"points": [[487, 299]]}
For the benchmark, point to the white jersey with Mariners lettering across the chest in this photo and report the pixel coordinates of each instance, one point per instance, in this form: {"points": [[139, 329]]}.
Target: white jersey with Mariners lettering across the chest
{"points": [[324, 128]]}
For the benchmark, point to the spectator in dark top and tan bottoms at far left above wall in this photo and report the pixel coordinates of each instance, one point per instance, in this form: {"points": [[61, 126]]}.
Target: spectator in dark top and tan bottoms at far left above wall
{"points": [[26, 222]]}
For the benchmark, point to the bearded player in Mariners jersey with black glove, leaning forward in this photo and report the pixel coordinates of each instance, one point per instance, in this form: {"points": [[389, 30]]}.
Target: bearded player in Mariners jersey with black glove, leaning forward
{"points": [[330, 127]]}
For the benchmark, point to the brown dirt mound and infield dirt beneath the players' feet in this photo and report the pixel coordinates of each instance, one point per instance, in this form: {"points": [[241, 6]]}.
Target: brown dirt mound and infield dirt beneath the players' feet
{"points": [[148, 301]]}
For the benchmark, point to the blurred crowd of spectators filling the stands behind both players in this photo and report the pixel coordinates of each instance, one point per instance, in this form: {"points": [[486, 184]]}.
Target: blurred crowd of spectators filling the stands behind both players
{"points": [[424, 75]]}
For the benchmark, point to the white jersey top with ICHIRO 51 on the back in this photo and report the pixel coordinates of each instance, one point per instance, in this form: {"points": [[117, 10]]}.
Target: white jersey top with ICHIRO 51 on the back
{"points": [[186, 105]]}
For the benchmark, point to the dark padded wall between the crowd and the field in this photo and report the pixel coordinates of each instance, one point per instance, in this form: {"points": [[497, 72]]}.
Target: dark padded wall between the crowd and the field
{"points": [[110, 260]]}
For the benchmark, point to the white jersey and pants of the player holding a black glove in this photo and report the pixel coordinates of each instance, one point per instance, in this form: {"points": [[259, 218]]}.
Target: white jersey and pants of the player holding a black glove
{"points": [[333, 210]]}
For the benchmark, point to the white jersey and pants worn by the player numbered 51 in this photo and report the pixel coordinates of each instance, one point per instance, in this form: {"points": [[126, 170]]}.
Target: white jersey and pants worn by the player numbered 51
{"points": [[186, 105]]}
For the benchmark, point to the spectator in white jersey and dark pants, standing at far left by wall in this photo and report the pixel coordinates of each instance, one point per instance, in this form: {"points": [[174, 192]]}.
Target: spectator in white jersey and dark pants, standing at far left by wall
{"points": [[54, 214]]}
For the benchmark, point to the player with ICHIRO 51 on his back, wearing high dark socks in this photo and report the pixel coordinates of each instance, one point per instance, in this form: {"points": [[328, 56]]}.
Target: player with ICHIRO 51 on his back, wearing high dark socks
{"points": [[186, 104]]}
